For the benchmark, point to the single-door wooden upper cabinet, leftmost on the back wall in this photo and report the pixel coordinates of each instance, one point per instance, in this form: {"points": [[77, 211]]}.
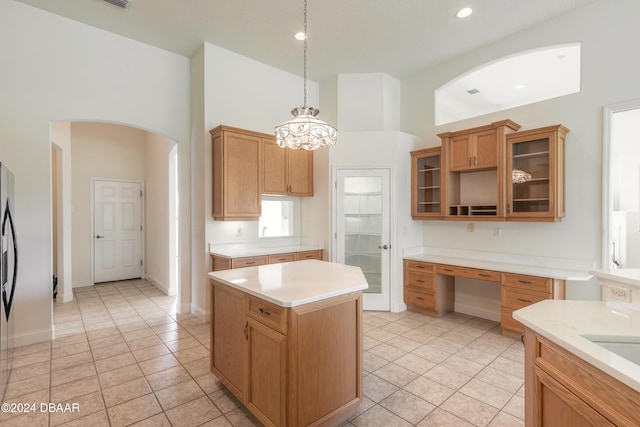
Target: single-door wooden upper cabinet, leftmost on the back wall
{"points": [[236, 161]]}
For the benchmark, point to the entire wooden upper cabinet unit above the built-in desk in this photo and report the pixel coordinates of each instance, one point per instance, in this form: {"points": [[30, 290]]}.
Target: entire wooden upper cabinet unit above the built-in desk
{"points": [[491, 173]]}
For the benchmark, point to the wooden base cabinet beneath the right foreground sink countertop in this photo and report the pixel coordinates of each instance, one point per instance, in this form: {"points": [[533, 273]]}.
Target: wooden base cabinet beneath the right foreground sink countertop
{"points": [[563, 390]]}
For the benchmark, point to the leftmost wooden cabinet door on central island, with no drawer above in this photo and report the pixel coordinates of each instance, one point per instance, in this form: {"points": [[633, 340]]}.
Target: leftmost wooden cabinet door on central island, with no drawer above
{"points": [[228, 343]]}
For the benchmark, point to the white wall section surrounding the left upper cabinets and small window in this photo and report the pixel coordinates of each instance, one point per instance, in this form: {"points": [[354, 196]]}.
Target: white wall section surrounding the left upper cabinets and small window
{"points": [[236, 91]]}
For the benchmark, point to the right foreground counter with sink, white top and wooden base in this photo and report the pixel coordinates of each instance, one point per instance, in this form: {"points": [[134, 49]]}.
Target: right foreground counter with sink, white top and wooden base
{"points": [[580, 367]]}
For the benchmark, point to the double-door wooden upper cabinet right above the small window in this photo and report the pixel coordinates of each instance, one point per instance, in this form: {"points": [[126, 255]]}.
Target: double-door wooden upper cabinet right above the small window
{"points": [[286, 172]]}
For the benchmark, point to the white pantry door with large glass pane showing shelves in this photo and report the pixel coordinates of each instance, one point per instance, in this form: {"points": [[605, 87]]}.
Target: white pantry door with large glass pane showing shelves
{"points": [[362, 224]]}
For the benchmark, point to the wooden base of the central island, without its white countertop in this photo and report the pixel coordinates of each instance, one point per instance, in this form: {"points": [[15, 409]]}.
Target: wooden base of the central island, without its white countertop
{"points": [[304, 370]]}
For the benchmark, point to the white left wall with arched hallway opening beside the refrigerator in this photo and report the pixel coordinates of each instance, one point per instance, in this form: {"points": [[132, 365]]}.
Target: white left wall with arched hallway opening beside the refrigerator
{"points": [[55, 69]]}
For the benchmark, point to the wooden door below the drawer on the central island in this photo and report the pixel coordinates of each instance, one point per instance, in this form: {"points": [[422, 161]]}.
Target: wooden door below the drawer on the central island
{"points": [[266, 369]]}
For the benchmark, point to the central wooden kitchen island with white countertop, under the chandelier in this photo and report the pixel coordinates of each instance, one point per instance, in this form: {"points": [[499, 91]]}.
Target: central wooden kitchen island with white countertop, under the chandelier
{"points": [[286, 340]]}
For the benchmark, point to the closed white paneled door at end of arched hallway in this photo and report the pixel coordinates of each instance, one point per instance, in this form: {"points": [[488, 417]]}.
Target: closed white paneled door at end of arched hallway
{"points": [[117, 236]]}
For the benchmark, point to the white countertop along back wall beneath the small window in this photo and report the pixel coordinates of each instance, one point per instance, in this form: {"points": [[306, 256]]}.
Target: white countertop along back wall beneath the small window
{"points": [[265, 247]]}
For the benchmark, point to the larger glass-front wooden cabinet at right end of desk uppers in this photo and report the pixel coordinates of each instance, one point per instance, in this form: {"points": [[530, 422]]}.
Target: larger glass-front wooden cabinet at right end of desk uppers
{"points": [[536, 175]]}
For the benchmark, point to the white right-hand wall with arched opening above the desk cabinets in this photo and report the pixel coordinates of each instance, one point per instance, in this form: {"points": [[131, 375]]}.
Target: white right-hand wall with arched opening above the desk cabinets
{"points": [[609, 35]]}
